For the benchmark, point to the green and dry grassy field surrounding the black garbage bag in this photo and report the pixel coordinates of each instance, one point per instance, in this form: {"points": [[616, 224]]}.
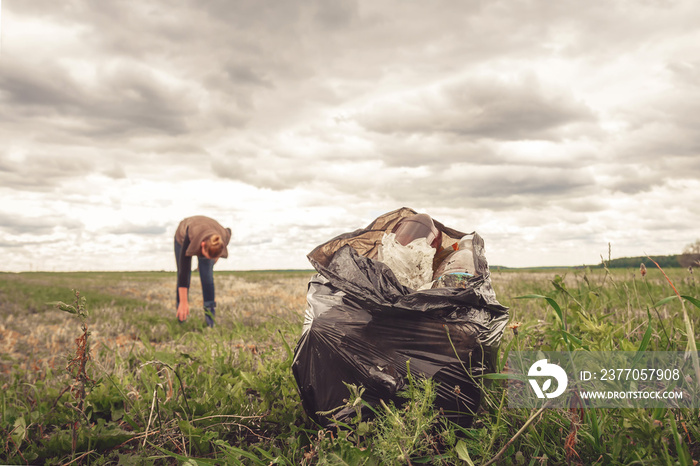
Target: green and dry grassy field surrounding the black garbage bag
{"points": [[154, 391]]}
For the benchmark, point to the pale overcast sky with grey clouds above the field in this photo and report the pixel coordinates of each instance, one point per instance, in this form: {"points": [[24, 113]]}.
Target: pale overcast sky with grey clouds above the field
{"points": [[551, 128]]}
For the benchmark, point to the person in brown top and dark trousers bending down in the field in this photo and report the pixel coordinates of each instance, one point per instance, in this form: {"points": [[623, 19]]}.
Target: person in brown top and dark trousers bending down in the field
{"points": [[205, 238]]}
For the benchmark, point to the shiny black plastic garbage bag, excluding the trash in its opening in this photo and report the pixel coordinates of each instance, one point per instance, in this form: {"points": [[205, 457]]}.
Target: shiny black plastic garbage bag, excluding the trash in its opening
{"points": [[362, 327]]}
